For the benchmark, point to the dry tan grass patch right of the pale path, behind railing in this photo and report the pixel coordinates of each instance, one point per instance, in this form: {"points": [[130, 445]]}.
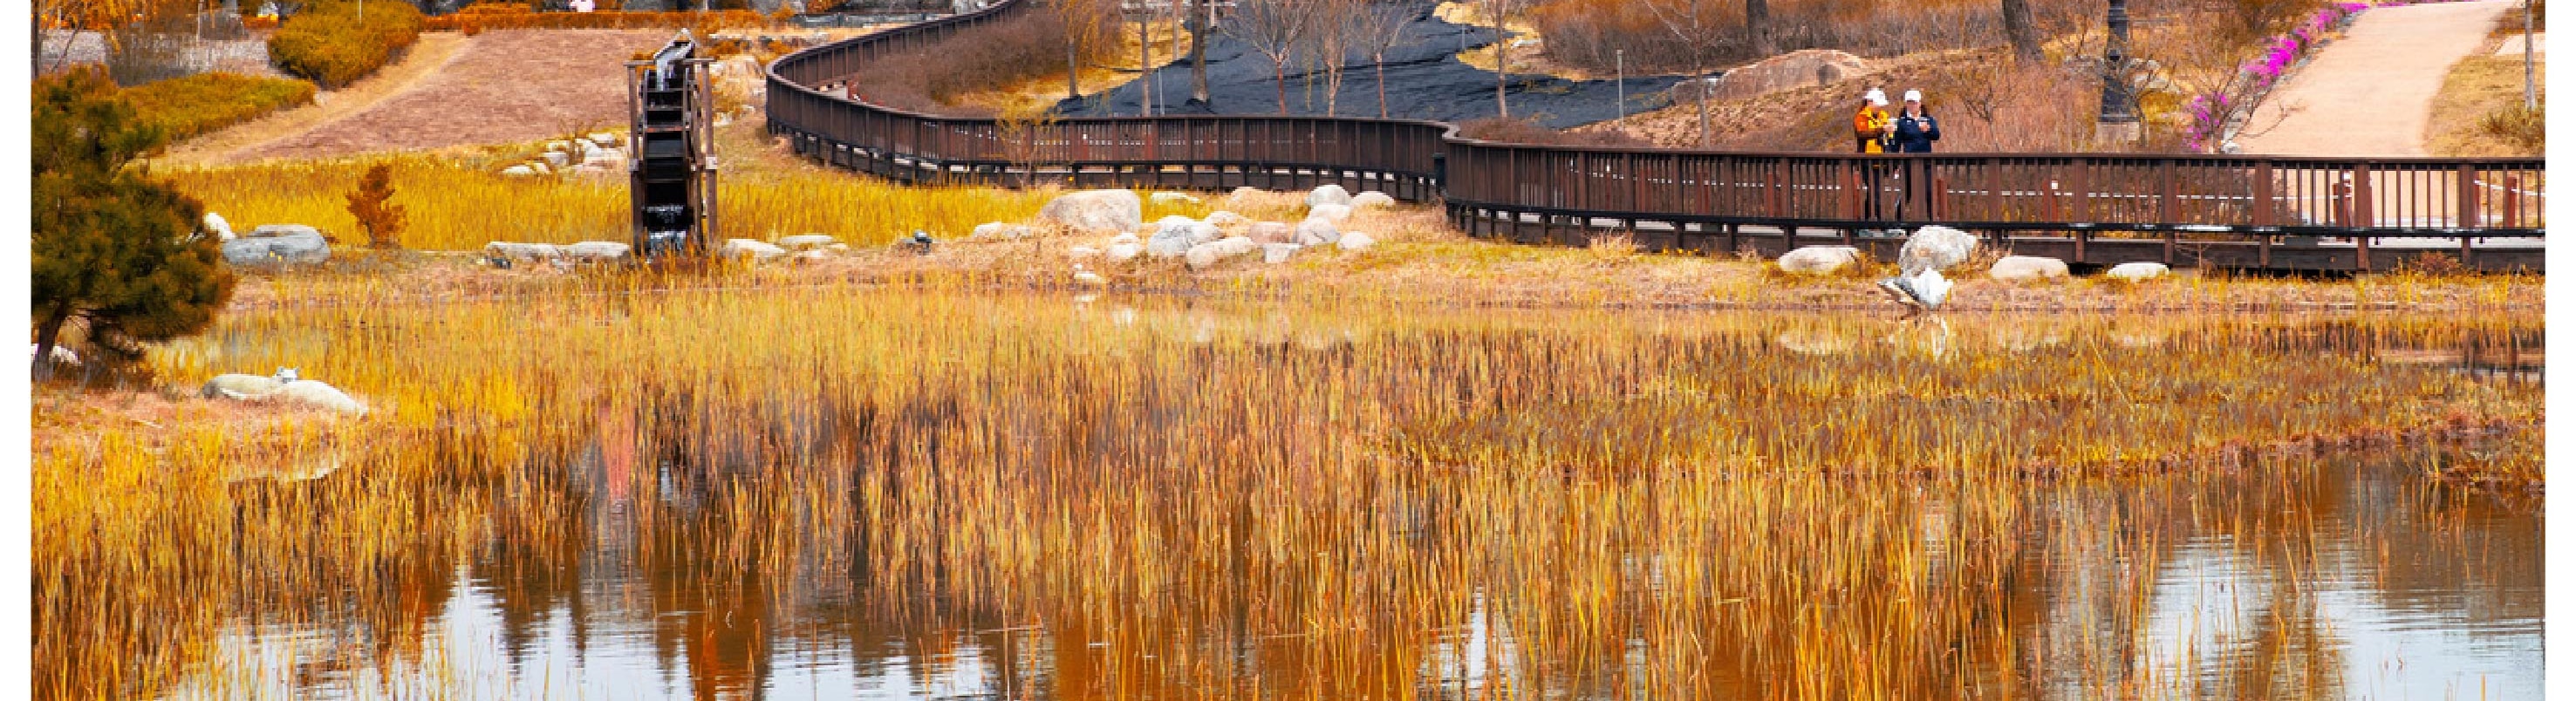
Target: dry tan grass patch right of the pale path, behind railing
{"points": [[2479, 112]]}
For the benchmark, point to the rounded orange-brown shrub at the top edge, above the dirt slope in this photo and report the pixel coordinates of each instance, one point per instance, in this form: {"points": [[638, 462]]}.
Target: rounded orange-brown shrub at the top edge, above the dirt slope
{"points": [[334, 45]]}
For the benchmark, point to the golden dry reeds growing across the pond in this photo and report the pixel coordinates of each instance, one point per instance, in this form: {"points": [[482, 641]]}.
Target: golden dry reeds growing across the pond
{"points": [[1184, 481]]}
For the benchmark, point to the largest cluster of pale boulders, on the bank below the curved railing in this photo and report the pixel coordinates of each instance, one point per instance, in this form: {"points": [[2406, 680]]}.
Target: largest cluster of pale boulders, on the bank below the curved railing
{"points": [[1199, 244]]}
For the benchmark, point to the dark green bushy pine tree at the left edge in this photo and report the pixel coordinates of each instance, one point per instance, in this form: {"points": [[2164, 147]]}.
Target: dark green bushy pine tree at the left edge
{"points": [[115, 251]]}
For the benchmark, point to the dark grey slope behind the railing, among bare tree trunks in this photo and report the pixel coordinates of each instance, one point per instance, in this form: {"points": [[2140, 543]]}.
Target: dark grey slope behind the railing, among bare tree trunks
{"points": [[1423, 81]]}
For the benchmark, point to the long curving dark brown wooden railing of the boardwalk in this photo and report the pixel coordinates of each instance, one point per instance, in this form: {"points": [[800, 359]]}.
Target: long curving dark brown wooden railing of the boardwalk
{"points": [[2224, 210]]}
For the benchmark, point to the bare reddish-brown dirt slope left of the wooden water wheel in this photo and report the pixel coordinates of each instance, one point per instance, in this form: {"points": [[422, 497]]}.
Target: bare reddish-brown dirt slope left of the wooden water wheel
{"points": [[450, 91]]}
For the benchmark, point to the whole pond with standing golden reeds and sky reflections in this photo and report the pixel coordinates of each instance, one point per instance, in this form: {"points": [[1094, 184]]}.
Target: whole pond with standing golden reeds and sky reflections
{"points": [[1186, 501]]}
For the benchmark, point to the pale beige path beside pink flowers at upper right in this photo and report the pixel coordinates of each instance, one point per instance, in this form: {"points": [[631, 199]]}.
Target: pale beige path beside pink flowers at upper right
{"points": [[2371, 91]]}
